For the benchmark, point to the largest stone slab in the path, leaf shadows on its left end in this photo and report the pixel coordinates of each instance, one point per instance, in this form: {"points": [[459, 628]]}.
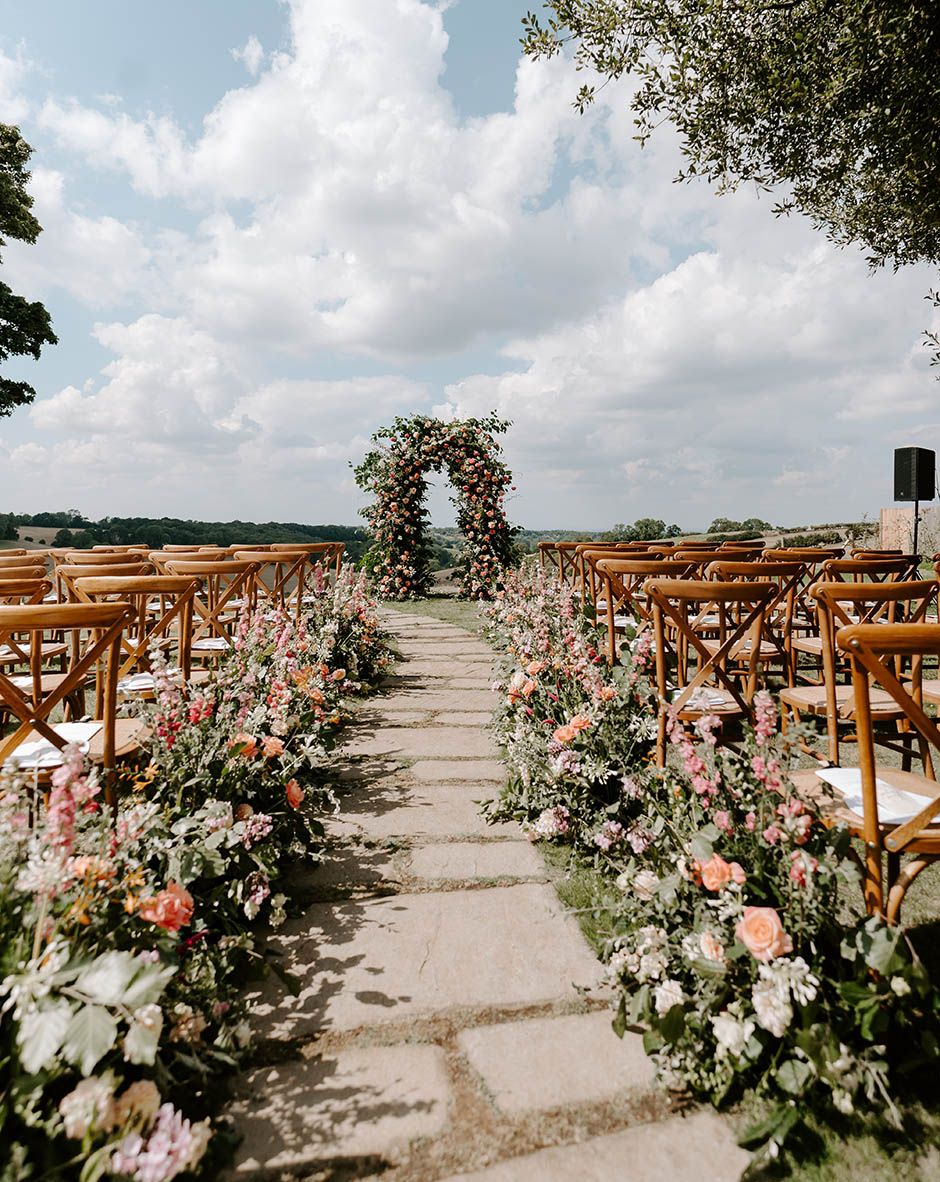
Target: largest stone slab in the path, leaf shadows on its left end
{"points": [[387, 960]]}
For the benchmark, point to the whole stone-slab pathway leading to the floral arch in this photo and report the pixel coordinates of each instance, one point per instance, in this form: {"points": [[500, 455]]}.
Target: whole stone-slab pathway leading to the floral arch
{"points": [[448, 1023]]}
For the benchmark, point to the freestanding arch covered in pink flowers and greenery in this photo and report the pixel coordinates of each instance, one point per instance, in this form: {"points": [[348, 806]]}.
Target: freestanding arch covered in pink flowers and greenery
{"points": [[396, 473]]}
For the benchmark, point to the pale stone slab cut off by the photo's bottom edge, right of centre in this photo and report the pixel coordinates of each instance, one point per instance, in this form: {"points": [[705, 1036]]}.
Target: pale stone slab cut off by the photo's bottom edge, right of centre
{"points": [[699, 1148]]}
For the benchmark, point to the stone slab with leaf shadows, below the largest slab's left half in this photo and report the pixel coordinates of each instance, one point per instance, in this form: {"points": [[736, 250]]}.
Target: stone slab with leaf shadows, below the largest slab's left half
{"points": [[358, 1103]]}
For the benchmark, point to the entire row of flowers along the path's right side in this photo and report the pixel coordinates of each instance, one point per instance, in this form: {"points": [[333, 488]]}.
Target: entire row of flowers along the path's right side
{"points": [[735, 944]]}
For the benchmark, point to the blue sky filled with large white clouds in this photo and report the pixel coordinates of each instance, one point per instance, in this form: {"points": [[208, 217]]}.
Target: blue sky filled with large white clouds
{"points": [[269, 228]]}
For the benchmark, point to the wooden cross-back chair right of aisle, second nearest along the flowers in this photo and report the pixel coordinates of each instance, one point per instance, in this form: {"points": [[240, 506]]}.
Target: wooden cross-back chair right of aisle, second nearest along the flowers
{"points": [[714, 689]]}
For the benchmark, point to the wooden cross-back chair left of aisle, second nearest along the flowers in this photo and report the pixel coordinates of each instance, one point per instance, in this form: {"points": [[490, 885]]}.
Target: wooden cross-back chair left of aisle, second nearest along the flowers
{"points": [[163, 607]]}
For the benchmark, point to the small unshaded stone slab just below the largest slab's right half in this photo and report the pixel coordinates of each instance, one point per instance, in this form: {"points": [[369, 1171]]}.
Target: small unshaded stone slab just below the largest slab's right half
{"points": [[550, 1063]]}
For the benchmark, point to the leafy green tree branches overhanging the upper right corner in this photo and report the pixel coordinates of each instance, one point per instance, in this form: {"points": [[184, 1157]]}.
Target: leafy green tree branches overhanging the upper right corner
{"points": [[834, 102]]}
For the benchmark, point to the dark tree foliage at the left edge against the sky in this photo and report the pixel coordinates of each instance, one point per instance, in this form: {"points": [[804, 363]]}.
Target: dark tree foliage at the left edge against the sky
{"points": [[25, 327]]}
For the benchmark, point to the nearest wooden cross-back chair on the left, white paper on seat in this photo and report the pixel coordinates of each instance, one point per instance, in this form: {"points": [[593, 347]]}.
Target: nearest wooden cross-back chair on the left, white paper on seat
{"points": [[34, 712]]}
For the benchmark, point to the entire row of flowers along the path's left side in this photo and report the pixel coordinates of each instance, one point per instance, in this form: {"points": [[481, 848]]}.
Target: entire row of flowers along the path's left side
{"points": [[128, 936]]}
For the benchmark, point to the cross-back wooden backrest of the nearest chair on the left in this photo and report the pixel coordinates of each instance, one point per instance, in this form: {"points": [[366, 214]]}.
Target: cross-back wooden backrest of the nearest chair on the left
{"points": [[106, 624]]}
